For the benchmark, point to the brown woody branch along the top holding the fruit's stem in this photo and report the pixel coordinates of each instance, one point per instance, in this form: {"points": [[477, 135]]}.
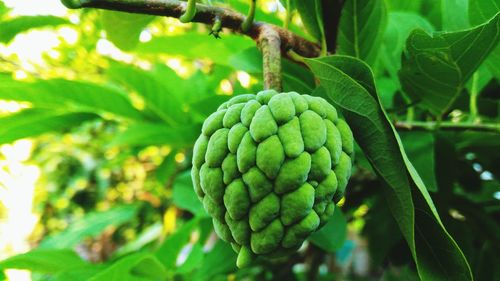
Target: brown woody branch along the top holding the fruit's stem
{"points": [[204, 14]]}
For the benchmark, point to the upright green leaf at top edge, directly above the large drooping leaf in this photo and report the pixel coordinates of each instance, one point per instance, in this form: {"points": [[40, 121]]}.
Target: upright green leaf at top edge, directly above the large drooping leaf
{"points": [[361, 29]]}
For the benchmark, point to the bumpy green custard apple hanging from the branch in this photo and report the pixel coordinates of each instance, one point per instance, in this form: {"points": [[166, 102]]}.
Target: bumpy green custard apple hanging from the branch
{"points": [[269, 168]]}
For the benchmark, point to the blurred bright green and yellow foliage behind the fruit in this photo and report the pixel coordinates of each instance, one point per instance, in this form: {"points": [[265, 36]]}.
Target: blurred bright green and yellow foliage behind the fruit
{"points": [[99, 111]]}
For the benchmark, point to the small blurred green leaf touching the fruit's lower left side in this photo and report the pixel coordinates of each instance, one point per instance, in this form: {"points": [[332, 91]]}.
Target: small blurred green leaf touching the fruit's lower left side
{"points": [[184, 196]]}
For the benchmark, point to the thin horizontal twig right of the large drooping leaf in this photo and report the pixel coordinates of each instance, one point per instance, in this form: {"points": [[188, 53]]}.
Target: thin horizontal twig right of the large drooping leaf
{"points": [[449, 126]]}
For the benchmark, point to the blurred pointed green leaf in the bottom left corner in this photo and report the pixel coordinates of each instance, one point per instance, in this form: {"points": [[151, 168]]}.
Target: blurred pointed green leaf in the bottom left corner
{"points": [[44, 261]]}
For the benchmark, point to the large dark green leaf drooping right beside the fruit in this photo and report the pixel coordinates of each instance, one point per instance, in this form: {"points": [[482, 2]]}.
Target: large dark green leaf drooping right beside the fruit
{"points": [[349, 83]]}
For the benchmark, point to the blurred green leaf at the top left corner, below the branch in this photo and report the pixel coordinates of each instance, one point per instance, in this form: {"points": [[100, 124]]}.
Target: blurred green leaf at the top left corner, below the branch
{"points": [[10, 28]]}
